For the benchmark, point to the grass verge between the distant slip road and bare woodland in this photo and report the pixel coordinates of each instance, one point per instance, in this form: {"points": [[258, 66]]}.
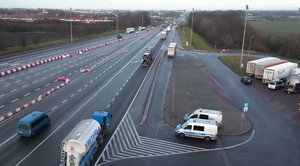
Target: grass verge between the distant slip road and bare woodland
{"points": [[197, 41]]}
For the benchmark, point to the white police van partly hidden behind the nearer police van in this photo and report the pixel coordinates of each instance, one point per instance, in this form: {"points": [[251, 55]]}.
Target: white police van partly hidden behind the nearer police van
{"points": [[206, 114]]}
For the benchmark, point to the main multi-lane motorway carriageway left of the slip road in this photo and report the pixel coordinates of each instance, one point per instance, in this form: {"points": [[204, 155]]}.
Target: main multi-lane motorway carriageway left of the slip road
{"points": [[117, 75]]}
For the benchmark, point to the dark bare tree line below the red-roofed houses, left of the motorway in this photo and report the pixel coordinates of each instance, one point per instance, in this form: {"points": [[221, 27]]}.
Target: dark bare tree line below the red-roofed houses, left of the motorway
{"points": [[14, 33]]}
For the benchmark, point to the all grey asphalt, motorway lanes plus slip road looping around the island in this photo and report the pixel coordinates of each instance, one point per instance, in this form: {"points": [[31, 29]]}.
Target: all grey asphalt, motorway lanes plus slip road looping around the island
{"points": [[122, 87]]}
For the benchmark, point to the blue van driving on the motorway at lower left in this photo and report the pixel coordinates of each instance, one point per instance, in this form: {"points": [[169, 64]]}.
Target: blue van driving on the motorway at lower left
{"points": [[31, 124]]}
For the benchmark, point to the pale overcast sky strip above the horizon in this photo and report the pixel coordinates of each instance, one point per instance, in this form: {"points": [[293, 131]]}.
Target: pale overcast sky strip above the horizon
{"points": [[155, 4]]}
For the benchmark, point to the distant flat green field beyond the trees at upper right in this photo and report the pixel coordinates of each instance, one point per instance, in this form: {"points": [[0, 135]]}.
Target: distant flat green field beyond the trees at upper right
{"points": [[280, 28]]}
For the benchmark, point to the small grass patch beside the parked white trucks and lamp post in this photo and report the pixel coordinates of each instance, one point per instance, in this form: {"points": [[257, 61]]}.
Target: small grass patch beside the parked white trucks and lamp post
{"points": [[233, 62]]}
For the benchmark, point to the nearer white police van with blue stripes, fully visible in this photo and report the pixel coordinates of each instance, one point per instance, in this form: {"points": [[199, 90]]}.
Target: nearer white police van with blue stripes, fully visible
{"points": [[198, 128]]}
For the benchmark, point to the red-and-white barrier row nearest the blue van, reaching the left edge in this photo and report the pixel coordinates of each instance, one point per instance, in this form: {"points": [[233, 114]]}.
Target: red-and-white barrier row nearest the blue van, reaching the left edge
{"points": [[39, 98]]}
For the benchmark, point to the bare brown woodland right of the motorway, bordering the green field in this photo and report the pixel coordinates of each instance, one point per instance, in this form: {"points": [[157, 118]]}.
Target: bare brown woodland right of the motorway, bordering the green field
{"points": [[224, 29]]}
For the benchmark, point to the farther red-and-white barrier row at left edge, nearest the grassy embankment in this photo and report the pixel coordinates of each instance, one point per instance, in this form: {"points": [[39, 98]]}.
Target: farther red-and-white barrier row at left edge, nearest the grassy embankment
{"points": [[27, 66]]}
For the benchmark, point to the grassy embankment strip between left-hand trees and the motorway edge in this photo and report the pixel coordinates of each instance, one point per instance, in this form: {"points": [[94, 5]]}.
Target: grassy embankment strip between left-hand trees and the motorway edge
{"points": [[41, 45]]}
